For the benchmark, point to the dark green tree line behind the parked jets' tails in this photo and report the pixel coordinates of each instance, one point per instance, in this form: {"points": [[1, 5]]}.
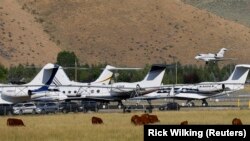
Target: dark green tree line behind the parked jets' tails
{"points": [[88, 73]]}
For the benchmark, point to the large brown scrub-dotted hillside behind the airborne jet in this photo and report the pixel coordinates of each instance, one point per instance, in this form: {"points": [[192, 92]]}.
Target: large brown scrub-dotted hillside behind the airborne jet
{"points": [[135, 33]]}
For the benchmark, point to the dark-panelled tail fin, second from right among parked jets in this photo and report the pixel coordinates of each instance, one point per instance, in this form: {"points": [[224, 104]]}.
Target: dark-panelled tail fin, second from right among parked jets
{"points": [[155, 75]]}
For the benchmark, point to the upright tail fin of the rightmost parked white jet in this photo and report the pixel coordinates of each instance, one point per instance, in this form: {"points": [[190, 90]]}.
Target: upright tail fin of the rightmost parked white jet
{"points": [[239, 74]]}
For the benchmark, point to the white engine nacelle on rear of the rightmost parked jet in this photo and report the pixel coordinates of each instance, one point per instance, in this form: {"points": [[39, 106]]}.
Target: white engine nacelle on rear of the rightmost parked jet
{"points": [[211, 88]]}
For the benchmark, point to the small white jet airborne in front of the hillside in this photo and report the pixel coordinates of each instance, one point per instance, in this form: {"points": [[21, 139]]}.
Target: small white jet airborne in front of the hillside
{"points": [[213, 57]]}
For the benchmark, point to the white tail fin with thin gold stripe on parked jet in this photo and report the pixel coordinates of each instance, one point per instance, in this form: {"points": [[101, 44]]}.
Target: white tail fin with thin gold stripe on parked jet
{"points": [[105, 76]]}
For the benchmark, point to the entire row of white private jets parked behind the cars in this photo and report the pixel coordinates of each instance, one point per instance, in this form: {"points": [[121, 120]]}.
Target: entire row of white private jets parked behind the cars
{"points": [[52, 83]]}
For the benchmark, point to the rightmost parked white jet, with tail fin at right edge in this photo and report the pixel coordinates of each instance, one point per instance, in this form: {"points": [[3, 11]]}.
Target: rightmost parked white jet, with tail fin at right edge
{"points": [[202, 91]]}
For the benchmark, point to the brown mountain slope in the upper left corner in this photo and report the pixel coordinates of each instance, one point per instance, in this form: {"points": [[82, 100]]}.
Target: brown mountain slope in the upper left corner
{"points": [[22, 40]]}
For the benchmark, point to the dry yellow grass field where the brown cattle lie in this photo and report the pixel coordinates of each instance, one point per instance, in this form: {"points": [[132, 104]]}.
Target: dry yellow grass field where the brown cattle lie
{"points": [[116, 127]]}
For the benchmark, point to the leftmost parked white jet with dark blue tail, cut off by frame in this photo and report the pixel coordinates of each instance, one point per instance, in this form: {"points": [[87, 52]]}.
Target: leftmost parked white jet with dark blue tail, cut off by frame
{"points": [[38, 87]]}
